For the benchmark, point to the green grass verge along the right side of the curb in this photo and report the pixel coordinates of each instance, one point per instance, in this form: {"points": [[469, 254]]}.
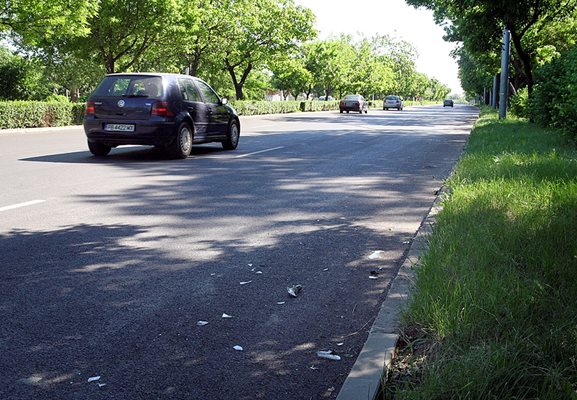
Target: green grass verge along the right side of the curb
{"points": [[494, 312]]}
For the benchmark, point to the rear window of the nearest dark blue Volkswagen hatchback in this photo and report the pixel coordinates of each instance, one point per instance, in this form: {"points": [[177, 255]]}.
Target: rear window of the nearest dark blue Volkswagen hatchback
{"points": [[130, 86]]}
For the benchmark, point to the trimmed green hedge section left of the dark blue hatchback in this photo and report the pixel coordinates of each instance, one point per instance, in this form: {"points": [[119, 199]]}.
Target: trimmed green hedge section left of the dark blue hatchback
{"points": [[33, 114]]}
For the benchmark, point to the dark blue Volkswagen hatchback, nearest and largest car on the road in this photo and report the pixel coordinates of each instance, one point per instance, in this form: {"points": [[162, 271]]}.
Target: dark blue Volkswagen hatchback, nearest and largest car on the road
{"points": [[169, 111]]}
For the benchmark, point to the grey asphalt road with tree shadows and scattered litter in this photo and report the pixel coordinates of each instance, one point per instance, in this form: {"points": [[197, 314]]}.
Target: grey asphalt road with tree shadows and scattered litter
{"points": [[107, 265]]}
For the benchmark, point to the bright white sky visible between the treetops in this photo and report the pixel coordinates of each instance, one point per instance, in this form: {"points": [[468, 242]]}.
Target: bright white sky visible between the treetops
{"points": [[396, 19]]}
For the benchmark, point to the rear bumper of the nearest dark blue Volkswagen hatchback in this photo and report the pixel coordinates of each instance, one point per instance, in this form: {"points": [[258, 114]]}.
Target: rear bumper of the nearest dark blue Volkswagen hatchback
{"points": [[153, 133]]}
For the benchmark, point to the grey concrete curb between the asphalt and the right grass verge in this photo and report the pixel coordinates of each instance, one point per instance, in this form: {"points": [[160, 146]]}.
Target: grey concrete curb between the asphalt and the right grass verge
{"points": [[370, 369]]}
